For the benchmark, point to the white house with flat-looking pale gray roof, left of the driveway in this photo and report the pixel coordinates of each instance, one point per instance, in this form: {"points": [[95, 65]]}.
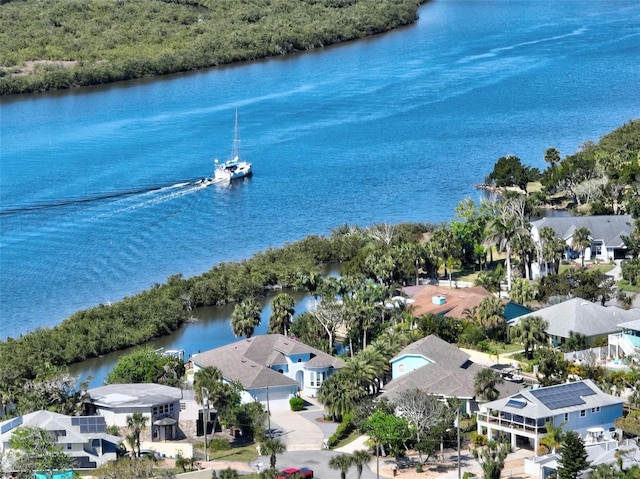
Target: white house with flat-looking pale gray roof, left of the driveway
{"points": [[160, 404]]}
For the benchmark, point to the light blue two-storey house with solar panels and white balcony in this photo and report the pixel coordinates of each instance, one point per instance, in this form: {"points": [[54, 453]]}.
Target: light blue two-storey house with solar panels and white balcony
{"points": [[578, 406]]}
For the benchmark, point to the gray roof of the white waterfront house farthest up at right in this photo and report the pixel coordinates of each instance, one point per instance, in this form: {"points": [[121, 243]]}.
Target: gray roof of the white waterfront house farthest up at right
{"points": [[607, 228]]}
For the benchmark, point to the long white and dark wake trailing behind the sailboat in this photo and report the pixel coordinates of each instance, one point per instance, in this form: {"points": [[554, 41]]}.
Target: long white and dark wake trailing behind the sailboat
{"points": [[172, 189]]}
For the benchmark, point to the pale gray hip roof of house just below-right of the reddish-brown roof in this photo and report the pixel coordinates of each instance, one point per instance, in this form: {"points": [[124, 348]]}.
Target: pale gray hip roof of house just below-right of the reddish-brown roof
{"points": [[578, 315]]}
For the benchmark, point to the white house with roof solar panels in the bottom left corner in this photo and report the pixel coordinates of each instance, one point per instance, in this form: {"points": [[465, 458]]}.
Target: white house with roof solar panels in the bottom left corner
{"points": [[83, 438]]}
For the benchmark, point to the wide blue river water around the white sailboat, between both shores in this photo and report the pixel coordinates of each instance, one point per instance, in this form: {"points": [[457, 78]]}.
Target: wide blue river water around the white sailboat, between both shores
{"points": [[399, 127]]}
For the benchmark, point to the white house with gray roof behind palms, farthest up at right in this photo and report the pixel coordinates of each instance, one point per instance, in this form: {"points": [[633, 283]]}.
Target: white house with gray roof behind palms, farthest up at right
{"points": [[606, 233]]}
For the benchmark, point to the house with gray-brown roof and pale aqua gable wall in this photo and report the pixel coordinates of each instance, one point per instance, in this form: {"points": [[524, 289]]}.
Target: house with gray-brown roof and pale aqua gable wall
{"points": [[433, 365]]}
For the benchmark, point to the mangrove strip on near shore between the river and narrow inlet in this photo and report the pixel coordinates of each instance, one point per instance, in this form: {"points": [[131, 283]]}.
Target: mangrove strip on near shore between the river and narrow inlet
{"points": [[163, 308]]}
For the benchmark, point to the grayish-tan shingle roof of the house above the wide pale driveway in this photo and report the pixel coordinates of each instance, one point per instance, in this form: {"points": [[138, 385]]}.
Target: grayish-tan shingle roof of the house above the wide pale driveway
{"points": [[248, 361]]}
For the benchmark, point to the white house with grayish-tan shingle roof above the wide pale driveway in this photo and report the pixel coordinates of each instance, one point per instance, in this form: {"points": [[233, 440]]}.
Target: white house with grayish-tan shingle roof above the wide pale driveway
{"points": [[271, 367]]}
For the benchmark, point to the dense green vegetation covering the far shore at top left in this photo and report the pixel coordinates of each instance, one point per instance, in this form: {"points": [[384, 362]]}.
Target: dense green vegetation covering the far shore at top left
{"points": [[69, 43]]}
